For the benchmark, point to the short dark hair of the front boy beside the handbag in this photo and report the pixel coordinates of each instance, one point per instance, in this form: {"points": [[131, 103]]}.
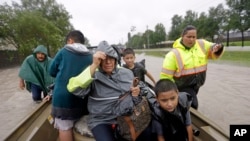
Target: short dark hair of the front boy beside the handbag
{"points": [[164, 85]]}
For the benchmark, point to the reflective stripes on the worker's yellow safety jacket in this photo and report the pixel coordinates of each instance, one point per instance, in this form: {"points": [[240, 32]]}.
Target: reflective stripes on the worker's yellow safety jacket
{"points": [[182, 71]]}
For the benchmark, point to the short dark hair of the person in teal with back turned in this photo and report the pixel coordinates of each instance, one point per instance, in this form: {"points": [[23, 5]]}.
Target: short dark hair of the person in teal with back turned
{"points": [[76, 35]]}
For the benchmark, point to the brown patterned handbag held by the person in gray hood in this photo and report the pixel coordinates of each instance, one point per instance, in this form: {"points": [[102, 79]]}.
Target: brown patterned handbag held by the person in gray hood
{"points": [[134, 116]]}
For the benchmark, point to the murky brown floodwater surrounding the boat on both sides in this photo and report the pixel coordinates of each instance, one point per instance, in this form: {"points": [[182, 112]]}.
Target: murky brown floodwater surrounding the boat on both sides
{"points": [[224, 98]]}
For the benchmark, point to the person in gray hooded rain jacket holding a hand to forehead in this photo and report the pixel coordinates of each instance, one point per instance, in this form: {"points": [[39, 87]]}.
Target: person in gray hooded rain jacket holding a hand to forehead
{"points": [[104, 81]]}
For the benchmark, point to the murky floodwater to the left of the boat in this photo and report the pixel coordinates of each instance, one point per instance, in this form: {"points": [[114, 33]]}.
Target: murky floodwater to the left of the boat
{"points": [[15, 104]]}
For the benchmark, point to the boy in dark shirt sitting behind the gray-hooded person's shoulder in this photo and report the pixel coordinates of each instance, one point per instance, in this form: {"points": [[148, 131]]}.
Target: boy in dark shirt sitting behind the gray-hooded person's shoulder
{"points": [[137, 68]]}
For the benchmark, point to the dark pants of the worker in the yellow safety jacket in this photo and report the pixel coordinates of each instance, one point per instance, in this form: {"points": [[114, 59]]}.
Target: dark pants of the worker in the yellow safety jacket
{"points": [[193, 92]]}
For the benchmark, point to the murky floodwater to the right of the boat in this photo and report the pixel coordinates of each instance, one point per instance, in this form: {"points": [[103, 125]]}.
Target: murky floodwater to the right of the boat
{"points": [[225, 96]]}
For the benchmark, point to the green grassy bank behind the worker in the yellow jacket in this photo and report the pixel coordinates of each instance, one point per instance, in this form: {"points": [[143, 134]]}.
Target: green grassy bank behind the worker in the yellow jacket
{"points": [[239, 58]]}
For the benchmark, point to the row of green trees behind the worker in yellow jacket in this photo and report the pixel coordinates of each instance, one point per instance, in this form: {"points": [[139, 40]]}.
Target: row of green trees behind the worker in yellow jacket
{"points": [[211, 25]]}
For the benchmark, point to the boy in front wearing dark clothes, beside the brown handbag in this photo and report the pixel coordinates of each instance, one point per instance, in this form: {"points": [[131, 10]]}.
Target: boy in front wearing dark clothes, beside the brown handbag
{"points": [[171, 117]]}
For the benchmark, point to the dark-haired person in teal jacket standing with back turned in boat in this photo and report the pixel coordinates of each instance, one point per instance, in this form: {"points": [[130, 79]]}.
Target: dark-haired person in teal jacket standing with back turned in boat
{"points": [[68, 62]]}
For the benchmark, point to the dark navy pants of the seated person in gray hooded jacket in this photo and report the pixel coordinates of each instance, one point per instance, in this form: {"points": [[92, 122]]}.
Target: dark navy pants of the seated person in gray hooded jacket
{"points": [[103, 132]]}
